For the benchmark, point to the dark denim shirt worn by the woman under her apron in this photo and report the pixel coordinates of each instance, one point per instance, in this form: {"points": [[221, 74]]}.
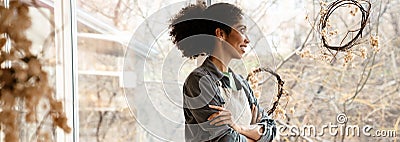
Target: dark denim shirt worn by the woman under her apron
{"points": [[200, 90]]}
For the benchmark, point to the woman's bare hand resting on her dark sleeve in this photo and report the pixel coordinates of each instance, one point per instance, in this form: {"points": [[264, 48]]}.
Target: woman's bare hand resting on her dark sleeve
{"points": [[222, 117]]}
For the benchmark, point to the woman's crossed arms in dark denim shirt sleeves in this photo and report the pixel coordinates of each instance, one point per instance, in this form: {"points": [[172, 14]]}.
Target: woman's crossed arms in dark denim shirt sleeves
{"points": [[203, 107]]}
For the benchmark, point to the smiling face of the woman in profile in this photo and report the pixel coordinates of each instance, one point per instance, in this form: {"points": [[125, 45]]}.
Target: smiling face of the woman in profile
{"points": [[238, 39]]}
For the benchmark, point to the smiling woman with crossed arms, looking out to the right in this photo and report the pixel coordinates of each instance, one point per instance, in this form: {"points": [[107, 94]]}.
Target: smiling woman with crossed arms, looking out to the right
{"points": [[218, 104]]}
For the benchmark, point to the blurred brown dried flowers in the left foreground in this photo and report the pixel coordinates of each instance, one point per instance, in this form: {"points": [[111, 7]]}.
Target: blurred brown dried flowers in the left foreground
{"points": [[24, 87]]}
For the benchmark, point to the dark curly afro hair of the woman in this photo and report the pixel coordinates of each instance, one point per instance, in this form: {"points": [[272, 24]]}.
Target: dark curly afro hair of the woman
{"points": [[193, 28]]}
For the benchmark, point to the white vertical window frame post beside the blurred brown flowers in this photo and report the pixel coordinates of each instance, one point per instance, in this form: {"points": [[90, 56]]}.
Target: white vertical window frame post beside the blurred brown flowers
{"points": [[66, 67]]}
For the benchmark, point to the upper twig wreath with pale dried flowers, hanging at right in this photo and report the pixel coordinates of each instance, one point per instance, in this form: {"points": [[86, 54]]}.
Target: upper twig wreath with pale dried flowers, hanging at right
{"points": [[329, 52]]}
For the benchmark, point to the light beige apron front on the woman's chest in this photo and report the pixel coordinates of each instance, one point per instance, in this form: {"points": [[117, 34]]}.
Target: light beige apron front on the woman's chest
{"points": [[236, 101]]}
